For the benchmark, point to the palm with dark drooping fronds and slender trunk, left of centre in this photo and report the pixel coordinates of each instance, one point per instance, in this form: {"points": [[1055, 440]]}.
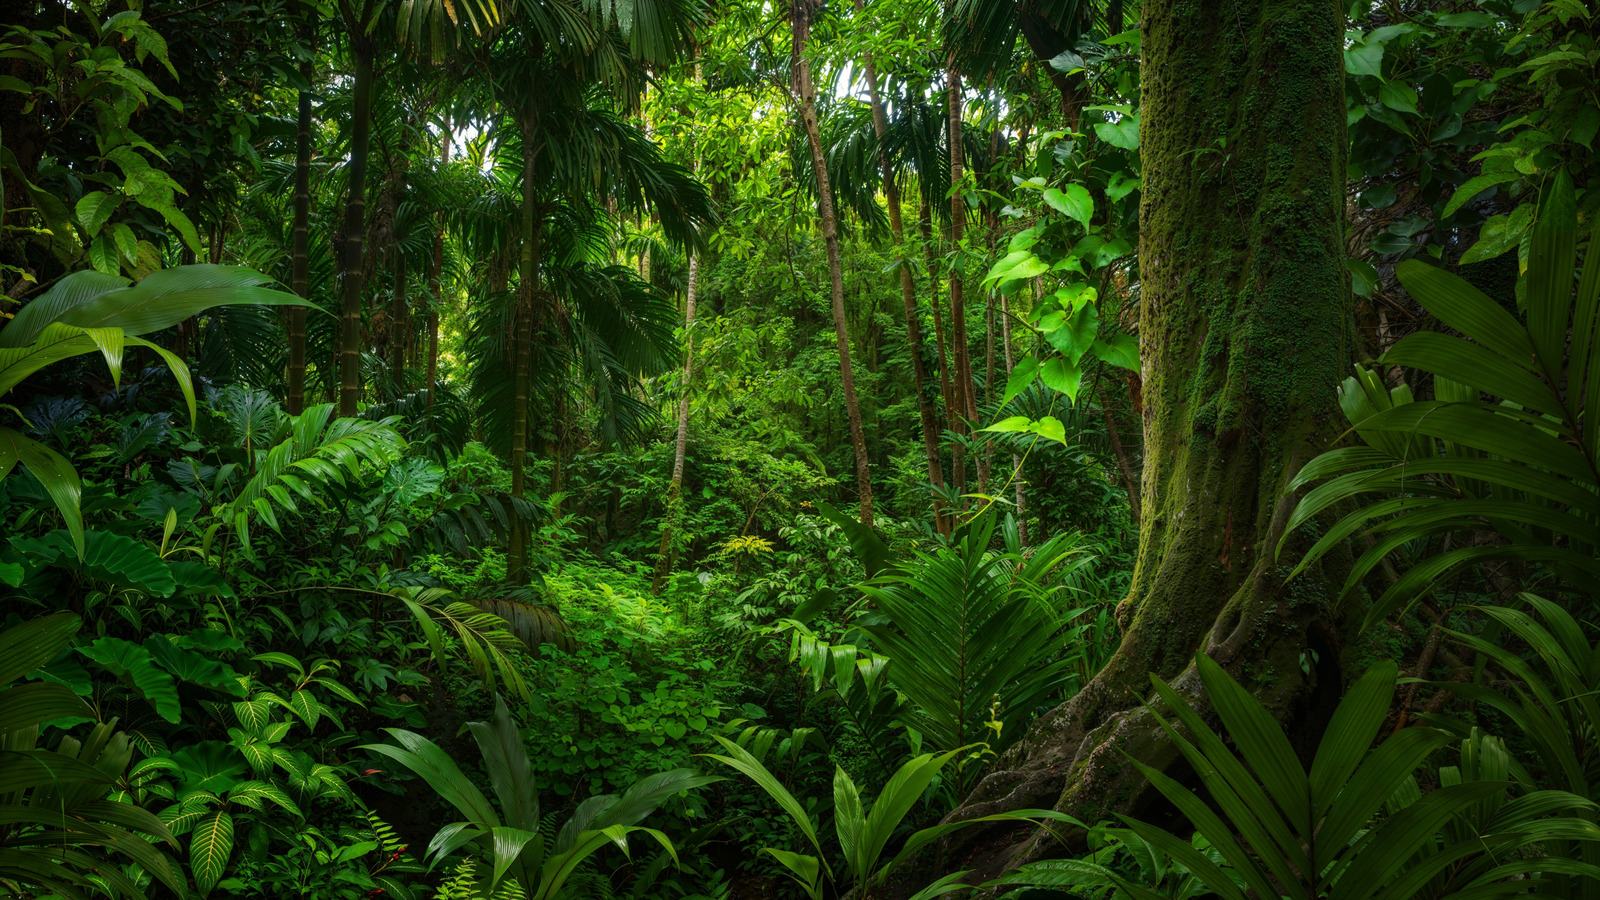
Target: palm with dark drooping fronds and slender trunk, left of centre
{"points": [[577, 161]]}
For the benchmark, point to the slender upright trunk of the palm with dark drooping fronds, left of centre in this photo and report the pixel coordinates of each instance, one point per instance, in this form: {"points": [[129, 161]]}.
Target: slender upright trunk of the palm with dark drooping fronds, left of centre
{"points": [[522, 345]]}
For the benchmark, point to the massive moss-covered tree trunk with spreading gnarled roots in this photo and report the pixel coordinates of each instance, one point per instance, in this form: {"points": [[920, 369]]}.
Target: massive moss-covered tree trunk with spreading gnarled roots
{"points": [[1246, 331]]}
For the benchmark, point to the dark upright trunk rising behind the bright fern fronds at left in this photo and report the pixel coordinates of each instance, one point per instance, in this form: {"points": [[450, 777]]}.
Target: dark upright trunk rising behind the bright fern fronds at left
{"points": [[356, 231]]}
